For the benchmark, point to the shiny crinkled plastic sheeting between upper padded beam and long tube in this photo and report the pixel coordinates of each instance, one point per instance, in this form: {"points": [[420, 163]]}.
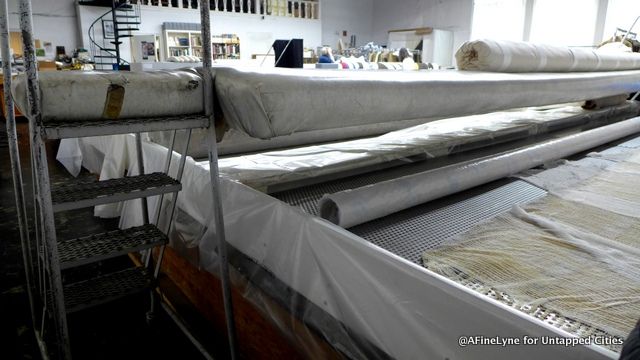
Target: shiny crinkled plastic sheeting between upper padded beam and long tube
{"points": [[435, 139]]}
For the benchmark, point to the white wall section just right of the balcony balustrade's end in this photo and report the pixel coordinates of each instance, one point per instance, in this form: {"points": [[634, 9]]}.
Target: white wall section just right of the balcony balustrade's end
{"points": [[354, 16]]}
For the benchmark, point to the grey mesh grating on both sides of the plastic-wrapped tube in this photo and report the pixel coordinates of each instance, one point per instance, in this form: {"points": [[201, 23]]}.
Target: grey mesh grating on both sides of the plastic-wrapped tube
{"points": [[409, 233]]}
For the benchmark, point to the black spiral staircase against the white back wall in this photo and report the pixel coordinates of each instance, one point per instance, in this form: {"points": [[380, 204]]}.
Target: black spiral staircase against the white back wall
{"points": [[108, 30]]}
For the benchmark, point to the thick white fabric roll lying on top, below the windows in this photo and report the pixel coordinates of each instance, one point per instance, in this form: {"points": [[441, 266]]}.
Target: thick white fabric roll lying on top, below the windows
{"points": [[514, 56]]}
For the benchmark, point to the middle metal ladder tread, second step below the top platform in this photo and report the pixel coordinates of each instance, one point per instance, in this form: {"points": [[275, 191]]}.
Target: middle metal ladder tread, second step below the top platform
{"points": [[94, 248]]}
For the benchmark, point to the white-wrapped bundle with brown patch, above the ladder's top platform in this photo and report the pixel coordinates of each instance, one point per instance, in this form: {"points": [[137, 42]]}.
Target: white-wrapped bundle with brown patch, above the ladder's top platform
{"points": [[81, 96]]}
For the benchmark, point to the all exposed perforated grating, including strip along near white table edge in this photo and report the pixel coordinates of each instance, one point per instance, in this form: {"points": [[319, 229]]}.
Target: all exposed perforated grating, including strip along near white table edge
{"points": [[409, 233]]}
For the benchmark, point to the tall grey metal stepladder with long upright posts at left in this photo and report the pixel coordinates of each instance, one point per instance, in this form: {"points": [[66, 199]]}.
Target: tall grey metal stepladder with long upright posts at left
{"points": [[44, 275]]}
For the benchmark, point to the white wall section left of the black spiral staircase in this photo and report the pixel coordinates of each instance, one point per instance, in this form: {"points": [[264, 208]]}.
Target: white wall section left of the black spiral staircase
{"points": [[54, 21]]}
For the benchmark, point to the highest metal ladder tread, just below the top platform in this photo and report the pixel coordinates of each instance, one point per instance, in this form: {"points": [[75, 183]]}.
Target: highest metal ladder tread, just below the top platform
{"points": [[78, 194]]}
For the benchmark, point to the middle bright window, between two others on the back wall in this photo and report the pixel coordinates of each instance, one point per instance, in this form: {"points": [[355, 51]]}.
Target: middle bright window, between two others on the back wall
{"points": [[564, 22]]}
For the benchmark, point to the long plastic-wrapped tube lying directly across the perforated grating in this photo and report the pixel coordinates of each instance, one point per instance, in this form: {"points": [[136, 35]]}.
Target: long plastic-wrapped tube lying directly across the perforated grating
{"points": [[353, 207]]}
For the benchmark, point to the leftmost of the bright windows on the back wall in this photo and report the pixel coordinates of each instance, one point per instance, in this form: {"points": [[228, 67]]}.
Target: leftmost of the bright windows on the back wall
{"points": [[498, 19]]}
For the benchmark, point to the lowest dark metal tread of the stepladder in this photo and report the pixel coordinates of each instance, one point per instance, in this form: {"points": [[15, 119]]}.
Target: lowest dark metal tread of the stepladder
{"points": [[106, 288]]}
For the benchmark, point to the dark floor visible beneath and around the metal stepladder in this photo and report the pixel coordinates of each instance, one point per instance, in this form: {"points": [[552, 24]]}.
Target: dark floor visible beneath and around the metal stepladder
{"points": [[114, 331]]}
